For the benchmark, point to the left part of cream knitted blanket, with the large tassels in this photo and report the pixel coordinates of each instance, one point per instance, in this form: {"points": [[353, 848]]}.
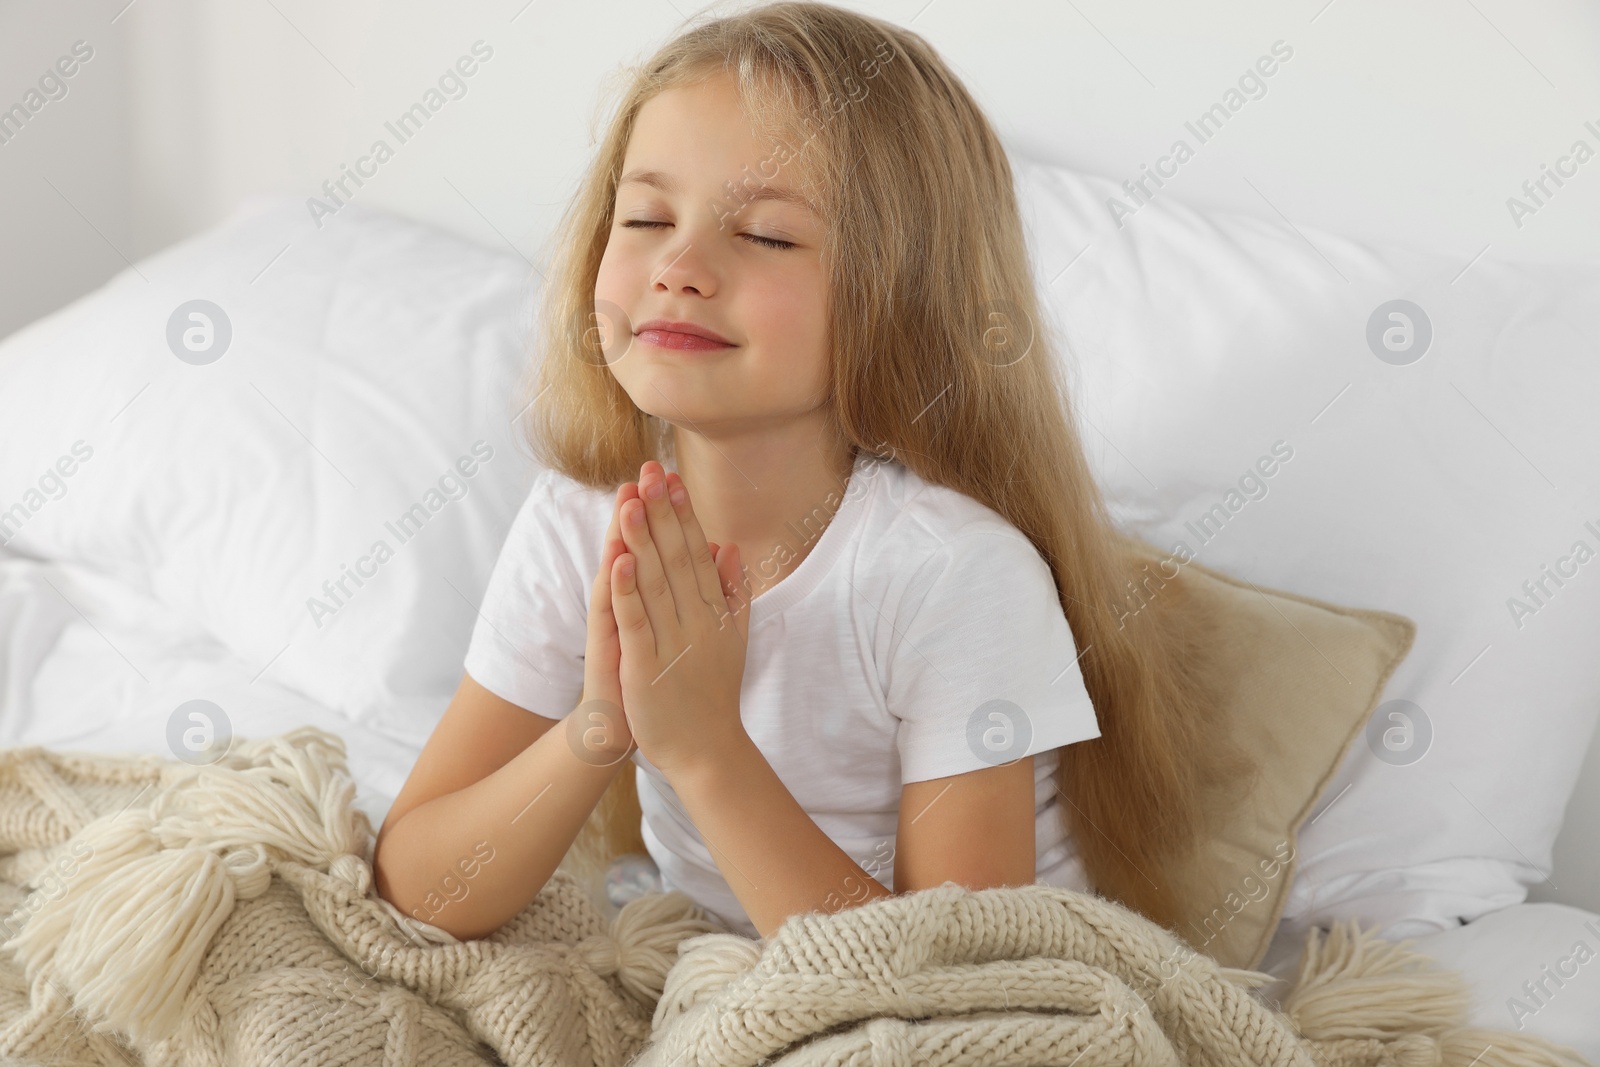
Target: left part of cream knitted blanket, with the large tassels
{"points": [[226, 916]]}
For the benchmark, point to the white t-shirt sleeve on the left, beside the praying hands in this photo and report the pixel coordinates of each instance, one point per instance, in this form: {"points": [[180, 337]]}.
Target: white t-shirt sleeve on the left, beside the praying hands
{"points": [[532, 629]]}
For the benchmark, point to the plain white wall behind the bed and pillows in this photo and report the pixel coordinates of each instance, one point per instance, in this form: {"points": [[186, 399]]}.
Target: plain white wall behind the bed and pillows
{"points": [[1407, 124]]}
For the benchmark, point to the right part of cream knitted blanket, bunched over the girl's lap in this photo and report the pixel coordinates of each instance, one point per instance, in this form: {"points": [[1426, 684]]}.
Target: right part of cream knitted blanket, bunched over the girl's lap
{"points": [[1041, 975]]}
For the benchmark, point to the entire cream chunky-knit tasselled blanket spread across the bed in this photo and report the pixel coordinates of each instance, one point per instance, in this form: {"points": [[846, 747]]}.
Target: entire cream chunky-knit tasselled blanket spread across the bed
{"points": [[186, 916]]}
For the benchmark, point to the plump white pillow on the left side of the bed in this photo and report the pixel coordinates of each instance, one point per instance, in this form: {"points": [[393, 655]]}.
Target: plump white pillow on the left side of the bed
{"points": [[369, 374]]}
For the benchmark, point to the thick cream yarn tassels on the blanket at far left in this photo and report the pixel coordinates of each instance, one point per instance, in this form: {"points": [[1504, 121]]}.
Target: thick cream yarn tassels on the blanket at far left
{"points": [[153, 885]]}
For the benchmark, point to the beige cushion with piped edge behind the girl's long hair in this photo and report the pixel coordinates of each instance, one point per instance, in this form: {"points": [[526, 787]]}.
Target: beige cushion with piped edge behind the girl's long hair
{"points": [[1302, 679]]}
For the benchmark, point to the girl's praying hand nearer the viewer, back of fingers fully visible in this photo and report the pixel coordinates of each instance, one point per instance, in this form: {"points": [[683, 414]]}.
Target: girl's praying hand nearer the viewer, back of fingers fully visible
{"points": [[684, 623]]}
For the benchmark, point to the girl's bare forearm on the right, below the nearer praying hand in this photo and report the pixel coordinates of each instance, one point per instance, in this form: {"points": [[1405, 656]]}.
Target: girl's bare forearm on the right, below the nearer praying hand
{"points": [[772, 853]]}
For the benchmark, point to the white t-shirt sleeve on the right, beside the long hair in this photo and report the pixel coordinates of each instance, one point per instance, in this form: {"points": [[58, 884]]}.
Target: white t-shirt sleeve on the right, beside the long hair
{"points": [[983, 668]]}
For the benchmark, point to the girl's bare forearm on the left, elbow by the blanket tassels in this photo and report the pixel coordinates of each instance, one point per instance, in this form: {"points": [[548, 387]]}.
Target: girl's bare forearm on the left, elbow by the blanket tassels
{"points": [[473, 860]]}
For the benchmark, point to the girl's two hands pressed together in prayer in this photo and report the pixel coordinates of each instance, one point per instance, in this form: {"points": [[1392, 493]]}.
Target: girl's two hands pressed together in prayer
{"points": [[668, 629]]}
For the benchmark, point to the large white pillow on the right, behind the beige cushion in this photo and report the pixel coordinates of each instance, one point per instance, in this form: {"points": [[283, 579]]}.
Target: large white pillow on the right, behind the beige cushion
{"points": [[1209, 350]]}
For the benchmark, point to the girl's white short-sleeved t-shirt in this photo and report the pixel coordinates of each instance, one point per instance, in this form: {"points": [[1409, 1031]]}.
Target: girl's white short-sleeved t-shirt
{"points": [[921, 637]]}
